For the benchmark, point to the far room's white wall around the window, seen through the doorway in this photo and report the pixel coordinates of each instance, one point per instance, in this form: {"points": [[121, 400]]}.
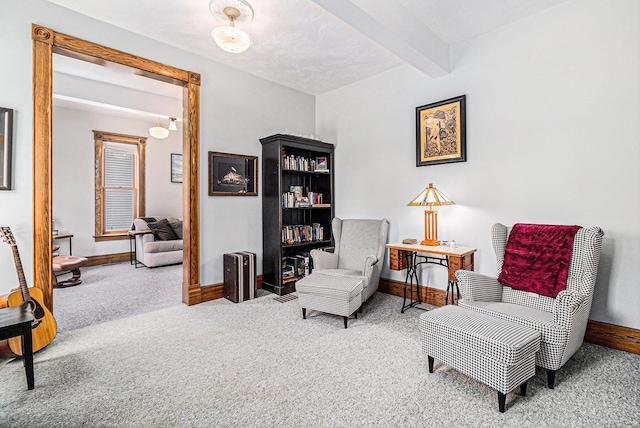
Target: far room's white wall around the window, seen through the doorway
{"points": [[74, 182]]}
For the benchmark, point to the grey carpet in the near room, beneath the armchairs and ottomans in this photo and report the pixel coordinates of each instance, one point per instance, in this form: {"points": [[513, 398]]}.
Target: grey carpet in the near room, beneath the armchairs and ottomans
{"points": [[259, 364]]}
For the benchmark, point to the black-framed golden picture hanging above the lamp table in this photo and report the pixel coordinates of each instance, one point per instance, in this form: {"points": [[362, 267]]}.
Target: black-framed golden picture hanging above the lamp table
{"points": [[441, 132]]}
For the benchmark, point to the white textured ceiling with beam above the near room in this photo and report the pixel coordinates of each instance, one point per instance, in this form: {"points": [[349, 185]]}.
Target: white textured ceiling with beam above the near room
{"points": [[316, 46]]}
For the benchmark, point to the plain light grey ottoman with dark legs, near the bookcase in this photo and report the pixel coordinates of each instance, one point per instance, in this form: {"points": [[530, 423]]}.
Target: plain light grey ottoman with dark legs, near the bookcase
{"points": [[332, 294]]}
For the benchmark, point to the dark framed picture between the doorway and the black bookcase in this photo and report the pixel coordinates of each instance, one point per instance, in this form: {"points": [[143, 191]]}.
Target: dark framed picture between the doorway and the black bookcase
{"points": [[232, 175]]}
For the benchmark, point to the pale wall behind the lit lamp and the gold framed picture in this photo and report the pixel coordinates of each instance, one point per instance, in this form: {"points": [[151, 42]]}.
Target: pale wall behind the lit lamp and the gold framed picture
{"points": [[553, 134]]}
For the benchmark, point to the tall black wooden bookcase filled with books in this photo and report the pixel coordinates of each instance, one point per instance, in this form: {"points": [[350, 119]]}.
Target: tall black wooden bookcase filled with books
{"points": [[276, 181]]}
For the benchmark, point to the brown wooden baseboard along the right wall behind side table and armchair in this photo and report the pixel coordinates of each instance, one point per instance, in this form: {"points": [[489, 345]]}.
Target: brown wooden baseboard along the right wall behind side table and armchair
{"points": [[600, 333]]}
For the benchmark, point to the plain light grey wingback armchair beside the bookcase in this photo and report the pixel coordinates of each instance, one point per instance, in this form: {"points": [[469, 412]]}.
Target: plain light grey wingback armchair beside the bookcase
{"points": [[359, 250]]}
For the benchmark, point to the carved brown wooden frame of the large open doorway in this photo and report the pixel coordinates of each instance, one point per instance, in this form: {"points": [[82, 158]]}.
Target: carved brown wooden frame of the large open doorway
{"points": [[46, 42]]}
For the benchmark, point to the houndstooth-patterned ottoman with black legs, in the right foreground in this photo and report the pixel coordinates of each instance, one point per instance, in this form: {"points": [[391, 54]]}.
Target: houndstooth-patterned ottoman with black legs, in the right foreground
{"points": [[498, 353]]}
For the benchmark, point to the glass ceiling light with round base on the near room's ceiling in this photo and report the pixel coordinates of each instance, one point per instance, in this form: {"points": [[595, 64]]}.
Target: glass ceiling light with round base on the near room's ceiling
{"points": [[235, 12]]}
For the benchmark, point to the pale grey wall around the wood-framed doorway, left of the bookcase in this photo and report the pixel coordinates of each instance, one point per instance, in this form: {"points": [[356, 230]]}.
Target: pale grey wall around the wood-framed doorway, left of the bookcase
{"points": [[236, 110]]}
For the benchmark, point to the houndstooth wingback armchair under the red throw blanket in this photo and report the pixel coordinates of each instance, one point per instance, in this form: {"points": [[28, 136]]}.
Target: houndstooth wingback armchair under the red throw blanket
{"points": [[562, 321]]}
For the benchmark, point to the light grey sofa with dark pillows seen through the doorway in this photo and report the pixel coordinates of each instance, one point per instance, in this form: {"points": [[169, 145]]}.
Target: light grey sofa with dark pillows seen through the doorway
{"points": [[152, 252]]}
